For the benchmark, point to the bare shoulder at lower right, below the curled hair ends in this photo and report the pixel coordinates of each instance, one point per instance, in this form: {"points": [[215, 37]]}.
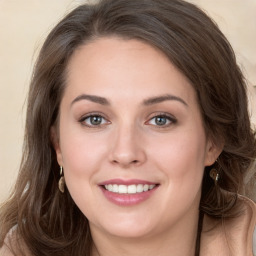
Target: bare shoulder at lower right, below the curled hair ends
{"points": [[236, 235]]}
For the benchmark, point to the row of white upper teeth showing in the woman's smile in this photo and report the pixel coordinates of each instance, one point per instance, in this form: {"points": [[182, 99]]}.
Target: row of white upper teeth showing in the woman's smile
{"points": [[131, 189]]}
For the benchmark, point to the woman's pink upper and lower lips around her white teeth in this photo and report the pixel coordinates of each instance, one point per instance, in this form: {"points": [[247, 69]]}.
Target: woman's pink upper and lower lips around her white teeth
{"points": [[127, 199]]}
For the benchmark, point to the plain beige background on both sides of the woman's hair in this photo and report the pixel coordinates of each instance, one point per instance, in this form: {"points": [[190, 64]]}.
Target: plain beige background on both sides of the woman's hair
{"points": [[23, 27]]}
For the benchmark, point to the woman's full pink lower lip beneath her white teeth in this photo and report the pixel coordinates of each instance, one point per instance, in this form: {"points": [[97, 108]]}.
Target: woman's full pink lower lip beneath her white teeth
{"points": [[128, 199]]}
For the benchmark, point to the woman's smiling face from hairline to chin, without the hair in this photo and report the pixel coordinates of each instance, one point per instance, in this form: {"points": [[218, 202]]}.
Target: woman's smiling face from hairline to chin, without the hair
{"points": [[131, 139]]}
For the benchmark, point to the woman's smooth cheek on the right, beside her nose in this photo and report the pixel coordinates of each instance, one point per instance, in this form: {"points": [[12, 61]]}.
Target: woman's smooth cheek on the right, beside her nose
{"points": [[181, 157]]}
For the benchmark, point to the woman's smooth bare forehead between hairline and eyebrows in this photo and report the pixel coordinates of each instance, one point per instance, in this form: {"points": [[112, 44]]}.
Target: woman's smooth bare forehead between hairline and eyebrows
{"points": [[116, 65]]}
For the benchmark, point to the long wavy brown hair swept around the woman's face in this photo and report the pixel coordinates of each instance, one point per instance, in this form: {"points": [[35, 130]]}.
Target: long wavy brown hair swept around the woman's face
{"points": [[48, 222]]}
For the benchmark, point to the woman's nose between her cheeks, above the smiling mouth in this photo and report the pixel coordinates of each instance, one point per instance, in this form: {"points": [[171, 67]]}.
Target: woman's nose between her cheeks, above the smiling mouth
{"points": [[127, 148]]}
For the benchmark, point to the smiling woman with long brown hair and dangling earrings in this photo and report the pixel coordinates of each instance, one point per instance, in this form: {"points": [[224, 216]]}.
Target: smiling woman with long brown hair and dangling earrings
{"points": [[137, 139]]}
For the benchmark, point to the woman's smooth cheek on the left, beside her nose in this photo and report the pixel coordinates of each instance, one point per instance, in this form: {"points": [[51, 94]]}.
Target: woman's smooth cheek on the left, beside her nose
{"points": [[82, 156]]}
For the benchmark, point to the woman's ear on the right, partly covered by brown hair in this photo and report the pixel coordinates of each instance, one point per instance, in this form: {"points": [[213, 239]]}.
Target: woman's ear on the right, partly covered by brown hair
{"points": [[212, 152]]}
